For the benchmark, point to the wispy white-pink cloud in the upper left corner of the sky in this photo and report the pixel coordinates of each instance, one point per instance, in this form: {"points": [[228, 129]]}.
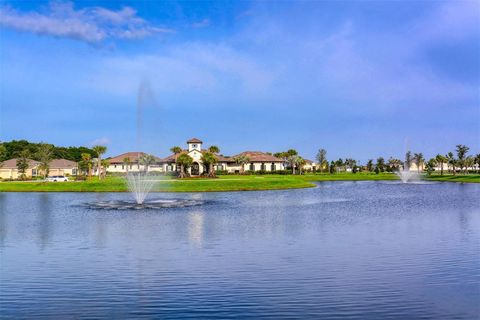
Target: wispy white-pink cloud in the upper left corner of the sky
{"points": [[92, 24]]}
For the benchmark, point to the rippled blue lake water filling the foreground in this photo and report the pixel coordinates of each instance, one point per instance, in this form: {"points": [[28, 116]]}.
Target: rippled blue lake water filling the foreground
{"points": [[359, 250]]}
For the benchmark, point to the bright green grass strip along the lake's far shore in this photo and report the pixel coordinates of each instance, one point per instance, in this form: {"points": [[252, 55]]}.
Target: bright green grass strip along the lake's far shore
{"points": [[222, 183]]}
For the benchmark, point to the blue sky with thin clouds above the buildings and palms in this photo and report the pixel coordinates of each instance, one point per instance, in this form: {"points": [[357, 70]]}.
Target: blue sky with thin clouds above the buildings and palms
{"points": [[357, 78]]}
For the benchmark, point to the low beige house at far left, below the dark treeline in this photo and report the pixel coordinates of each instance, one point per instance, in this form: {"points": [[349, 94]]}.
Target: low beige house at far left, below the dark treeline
{"points": [[58, 167]]}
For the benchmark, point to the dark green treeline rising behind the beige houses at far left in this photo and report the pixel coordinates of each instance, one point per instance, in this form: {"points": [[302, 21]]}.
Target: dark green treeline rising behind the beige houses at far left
{"points": [[14, 148]]}
